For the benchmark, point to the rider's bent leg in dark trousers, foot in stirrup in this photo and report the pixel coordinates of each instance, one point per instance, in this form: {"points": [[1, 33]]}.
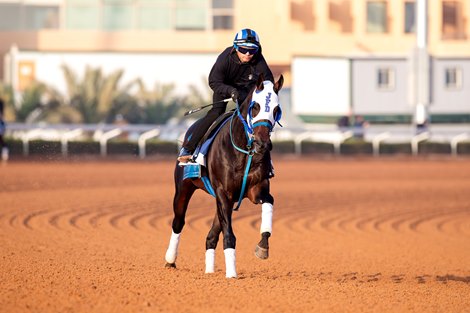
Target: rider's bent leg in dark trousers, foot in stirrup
{"points": [[199, 129]]}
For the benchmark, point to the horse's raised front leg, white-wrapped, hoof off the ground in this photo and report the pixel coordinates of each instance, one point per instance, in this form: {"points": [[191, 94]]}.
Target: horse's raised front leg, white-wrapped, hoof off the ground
{"points": [[260, 194]]}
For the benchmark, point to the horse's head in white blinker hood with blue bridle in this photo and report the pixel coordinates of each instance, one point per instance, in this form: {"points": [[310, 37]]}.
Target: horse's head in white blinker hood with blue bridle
{"points": [[263, 112]]}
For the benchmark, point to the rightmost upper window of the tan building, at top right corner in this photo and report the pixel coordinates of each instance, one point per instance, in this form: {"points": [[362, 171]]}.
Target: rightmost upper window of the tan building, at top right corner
{"points": [[452, 20]]}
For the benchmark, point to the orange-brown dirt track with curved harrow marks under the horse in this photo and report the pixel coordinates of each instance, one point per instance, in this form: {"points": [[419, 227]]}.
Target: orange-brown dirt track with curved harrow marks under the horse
{"points": [[349, 236]]}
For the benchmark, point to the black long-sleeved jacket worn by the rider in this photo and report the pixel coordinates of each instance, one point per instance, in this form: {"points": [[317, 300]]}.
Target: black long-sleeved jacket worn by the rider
{"points": [[229, 72]]}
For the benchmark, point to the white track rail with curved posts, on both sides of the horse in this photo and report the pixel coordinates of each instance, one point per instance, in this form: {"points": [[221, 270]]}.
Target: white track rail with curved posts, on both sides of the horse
{"points": [[102, 133]]}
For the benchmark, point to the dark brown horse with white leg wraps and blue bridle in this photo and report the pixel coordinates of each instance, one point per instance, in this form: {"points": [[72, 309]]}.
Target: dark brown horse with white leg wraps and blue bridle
{"points": [[237, 166]]}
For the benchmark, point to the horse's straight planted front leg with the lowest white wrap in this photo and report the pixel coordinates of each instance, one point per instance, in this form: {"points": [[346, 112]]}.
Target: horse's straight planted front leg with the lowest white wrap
{"points": [[224, 212]]}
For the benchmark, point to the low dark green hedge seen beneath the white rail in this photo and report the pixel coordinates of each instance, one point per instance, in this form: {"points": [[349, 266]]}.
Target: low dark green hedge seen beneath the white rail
{"points": [[52, 149]]}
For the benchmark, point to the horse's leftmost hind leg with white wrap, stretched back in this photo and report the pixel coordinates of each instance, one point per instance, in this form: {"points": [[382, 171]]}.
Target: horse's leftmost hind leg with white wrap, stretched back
{"points": [[183, 194]]}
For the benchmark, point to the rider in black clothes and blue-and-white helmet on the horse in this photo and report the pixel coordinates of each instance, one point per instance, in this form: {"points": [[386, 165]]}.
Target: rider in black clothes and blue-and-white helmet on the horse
{"points": [[233, 76]]}
